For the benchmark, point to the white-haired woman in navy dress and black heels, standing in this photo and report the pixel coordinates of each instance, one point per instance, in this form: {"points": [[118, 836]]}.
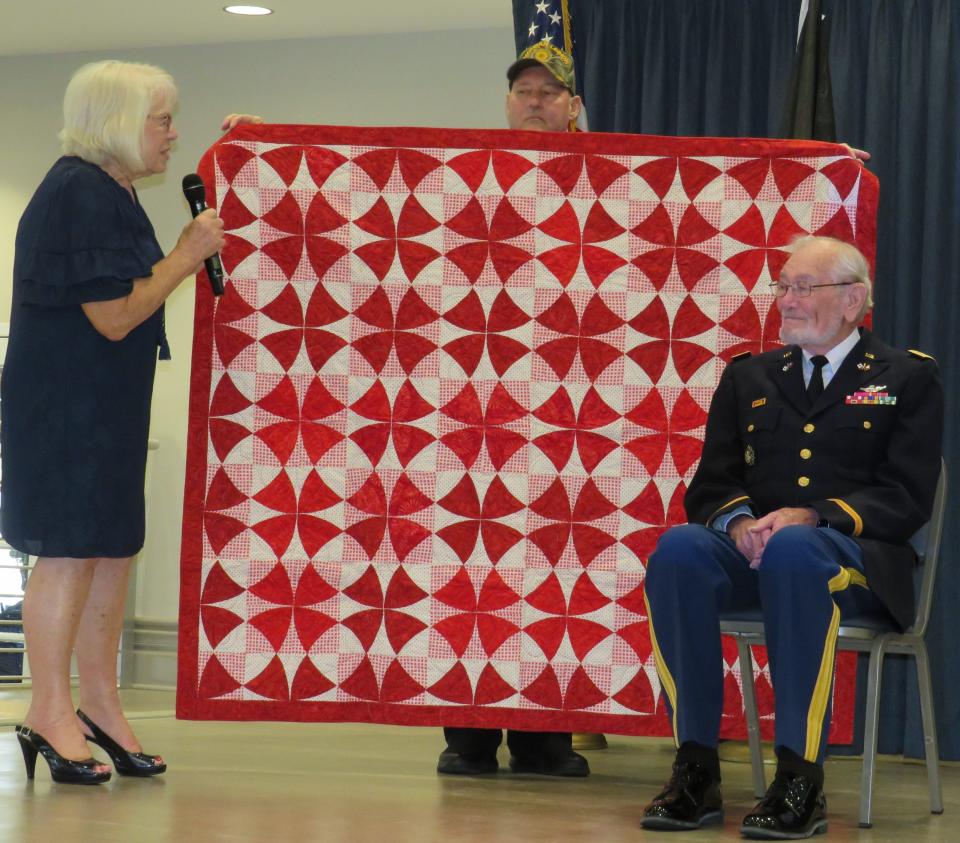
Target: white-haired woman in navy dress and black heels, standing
{"points": [[86, 324]]}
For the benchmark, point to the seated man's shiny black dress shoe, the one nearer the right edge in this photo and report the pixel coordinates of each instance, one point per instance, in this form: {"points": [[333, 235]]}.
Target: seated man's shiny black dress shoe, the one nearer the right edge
{"points": [[793, 808]]}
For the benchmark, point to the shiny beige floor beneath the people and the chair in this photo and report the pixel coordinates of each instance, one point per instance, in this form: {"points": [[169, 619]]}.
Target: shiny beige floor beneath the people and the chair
{"points": [[274, 782]]}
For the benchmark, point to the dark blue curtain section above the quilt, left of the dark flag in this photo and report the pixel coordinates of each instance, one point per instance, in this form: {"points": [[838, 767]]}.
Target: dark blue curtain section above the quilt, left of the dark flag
{"points": [[681, 67]]}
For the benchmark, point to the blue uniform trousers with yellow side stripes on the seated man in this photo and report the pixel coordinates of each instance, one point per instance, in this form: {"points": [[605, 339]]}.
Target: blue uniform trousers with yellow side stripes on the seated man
{"points": [[808, 579]]}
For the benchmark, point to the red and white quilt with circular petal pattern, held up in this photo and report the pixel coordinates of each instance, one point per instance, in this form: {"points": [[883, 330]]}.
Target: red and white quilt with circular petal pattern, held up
{"points": [[453, 394]]}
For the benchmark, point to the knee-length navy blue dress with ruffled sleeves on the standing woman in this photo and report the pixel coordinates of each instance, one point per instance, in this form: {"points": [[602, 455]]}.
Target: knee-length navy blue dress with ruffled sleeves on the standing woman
{"points": [[75, 405]]}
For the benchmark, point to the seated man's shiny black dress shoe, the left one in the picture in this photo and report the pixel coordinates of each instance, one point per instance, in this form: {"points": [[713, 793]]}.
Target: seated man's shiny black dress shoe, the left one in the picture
{"points": [[690, 799]]}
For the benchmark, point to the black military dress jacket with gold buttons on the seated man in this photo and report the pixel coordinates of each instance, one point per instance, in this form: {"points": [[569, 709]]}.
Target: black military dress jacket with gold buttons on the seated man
{"points": [[865, 455]]}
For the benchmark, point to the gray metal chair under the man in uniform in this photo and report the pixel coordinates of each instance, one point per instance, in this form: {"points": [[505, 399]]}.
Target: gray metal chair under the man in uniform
{"points": [[877, 637]]}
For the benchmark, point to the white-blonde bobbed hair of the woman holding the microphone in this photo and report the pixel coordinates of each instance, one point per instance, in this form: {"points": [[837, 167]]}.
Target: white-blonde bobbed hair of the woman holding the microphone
{"points": [[105, 108]]}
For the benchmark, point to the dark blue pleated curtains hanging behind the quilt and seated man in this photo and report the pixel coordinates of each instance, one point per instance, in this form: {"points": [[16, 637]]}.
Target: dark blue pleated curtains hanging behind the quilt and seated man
{"points": [[722, 68]]}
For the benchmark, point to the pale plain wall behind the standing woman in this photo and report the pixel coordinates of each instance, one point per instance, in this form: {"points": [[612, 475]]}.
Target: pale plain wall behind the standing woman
{"points": [[429, 79]]}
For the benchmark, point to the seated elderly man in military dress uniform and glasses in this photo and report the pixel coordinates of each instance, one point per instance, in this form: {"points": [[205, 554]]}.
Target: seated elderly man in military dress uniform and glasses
{"points": [[820, 461]]}
